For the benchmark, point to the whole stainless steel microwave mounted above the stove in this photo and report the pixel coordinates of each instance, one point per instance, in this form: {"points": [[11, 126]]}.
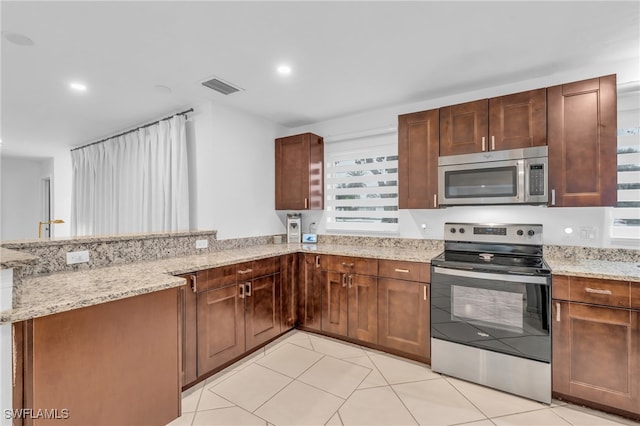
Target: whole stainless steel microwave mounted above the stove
{"points": [[514, 176]]}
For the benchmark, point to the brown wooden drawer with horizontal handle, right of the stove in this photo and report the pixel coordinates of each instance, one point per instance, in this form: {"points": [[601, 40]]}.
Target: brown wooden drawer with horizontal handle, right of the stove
{"points": [[592, 290]]}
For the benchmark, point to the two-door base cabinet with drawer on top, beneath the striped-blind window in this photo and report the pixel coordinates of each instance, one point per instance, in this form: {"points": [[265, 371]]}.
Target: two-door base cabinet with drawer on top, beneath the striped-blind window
{"points": [[349, 297]]}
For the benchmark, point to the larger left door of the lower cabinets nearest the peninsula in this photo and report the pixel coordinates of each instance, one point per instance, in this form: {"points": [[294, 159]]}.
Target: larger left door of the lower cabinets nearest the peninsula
{"points": [[220, 327]]}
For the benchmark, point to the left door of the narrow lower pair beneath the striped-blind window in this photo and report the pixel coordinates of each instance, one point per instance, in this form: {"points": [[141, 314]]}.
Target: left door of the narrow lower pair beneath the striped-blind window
{"points": [[334, 303]]}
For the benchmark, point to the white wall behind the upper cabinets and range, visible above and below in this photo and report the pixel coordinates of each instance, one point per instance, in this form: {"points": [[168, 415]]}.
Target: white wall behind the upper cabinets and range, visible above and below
{"points": [[591, 225]]}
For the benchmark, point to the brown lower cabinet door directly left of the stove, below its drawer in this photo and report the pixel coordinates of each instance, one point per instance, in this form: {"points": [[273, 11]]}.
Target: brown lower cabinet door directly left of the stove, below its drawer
{"points": [[403, 316]]}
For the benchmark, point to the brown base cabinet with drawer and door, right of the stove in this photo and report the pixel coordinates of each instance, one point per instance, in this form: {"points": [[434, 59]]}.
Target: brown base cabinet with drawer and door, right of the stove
{"points": [[596, 343]]}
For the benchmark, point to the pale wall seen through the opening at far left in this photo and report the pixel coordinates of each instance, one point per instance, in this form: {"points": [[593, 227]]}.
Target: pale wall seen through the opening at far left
{"points": [[21, 196]]}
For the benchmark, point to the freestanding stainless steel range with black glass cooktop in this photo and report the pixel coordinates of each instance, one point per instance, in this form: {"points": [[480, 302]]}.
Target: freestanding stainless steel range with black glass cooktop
{"points": [[490, 308]]}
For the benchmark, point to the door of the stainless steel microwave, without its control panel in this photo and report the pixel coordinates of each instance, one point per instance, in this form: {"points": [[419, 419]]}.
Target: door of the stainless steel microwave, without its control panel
{"points": [[496, 182]]}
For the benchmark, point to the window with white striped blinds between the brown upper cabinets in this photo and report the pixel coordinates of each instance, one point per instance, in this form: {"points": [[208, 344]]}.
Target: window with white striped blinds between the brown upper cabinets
{"points": [[362, 184]]}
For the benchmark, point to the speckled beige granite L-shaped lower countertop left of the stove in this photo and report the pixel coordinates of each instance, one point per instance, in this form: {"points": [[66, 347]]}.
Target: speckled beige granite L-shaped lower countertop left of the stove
{"points": [[59, 292]]}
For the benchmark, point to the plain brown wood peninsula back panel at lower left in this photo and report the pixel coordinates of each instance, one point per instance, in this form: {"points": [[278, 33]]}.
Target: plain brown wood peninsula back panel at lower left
{"points": [[114, 363]]}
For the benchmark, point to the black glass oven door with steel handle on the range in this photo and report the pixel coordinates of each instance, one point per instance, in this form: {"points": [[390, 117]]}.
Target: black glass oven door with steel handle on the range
{"points": [[505, 313]]}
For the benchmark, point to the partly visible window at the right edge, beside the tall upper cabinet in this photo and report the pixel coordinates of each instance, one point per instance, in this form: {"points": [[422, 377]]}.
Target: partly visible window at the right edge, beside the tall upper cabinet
{"points": [[626, 217]]}
